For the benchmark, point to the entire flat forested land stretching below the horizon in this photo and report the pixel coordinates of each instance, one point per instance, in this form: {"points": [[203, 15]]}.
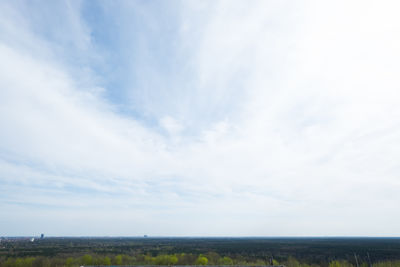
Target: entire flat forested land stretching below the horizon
{"points": [[58, 251]]}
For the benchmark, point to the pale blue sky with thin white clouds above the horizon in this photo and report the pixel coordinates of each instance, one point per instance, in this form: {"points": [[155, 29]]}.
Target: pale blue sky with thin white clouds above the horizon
{"points": [[199, 118]]}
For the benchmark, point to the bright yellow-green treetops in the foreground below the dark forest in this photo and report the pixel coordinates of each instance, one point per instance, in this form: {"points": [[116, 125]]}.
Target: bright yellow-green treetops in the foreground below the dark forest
{"points": [[210, 258]]}
